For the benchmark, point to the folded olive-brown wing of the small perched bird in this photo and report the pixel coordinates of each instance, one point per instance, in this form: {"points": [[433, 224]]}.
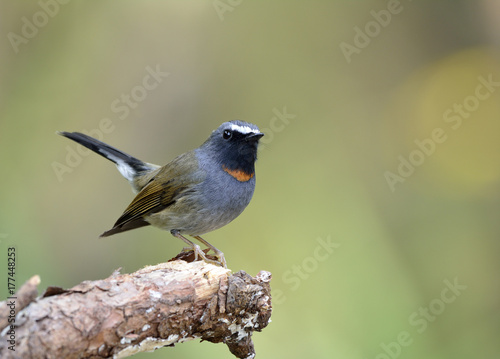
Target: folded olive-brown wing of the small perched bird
{"points": [[160, 193]]}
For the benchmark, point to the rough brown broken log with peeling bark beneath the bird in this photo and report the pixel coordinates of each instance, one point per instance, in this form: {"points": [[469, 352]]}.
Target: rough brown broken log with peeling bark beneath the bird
{"points": [[125, 314]]}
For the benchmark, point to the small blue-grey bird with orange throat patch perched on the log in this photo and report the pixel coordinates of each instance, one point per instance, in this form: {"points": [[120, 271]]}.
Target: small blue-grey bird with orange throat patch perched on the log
{"points": [[198, 192]]}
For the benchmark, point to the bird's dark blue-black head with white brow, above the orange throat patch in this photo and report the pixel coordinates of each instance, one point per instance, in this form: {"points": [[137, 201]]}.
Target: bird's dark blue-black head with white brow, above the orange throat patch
{"points": [[235, 144]]}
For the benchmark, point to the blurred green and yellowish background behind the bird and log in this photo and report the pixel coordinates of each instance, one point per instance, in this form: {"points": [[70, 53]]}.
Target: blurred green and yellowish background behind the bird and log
{"points": [[377, 199]]}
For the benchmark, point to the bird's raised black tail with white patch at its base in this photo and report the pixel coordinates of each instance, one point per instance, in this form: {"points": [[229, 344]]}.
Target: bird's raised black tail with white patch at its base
{"points": [[130, 167]]}
